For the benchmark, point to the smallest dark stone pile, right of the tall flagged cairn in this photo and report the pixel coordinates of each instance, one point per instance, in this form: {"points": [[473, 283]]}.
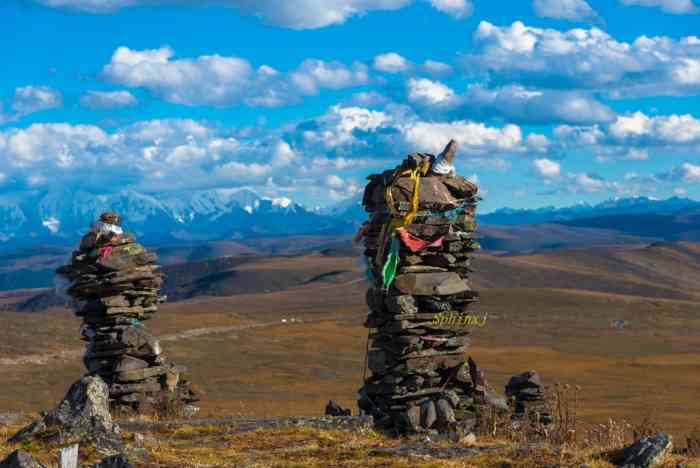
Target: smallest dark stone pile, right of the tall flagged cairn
{"points": [[529, 397]]}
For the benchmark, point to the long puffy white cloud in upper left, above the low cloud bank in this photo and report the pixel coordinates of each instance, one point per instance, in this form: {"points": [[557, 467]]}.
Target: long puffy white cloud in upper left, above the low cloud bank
{"points": [[229, 80]]}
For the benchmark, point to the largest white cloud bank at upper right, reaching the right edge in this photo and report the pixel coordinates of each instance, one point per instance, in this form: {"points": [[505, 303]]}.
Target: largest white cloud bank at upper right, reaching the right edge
{"points": [[587, 59]]}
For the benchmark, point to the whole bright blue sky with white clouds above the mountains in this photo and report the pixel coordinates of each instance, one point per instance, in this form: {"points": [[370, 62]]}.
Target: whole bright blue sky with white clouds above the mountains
{"points": [[554, 102]]}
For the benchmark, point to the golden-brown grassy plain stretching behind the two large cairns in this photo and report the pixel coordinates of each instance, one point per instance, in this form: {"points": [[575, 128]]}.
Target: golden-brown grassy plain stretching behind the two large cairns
{"points": [[293, 369]]}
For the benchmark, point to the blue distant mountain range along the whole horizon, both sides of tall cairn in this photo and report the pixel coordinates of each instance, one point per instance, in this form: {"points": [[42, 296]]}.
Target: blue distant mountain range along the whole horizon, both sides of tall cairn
{"points": [[61, 216]]}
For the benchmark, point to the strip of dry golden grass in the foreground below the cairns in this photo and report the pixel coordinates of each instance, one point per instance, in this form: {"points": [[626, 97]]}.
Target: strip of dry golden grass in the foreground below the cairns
{"points": [[217, 446]]}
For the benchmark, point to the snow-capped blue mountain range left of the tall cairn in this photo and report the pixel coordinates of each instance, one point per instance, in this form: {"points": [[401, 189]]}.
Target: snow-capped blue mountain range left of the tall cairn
{"points": [[61, 216]]}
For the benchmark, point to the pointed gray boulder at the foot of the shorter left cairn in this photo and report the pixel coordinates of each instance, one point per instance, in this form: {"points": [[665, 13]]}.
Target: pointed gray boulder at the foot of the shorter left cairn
{"points": [[82, 415]]}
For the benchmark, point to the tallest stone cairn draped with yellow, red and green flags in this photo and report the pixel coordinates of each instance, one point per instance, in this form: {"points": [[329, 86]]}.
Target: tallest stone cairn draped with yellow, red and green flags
{"points": [[418, 241]]}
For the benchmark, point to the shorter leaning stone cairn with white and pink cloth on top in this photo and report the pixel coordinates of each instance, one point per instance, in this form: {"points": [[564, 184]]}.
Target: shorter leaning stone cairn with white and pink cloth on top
{"points": [[115, 286]]}
